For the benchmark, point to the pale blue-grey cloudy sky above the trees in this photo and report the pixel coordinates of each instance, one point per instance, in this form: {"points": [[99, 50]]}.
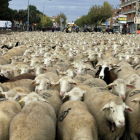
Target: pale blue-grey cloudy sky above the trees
{"points": [[71, 8]]}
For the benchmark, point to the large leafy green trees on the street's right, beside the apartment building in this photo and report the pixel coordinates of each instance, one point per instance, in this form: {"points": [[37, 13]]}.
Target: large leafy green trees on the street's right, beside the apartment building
{"points": [[96, 15]]}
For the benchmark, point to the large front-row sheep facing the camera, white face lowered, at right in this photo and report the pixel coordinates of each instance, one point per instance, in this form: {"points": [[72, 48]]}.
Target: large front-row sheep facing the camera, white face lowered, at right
{"points": [[108, 110]]}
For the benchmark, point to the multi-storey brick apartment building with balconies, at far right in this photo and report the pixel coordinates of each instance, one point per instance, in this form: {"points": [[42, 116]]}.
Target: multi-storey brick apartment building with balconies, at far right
{"points": [[128, 7]]}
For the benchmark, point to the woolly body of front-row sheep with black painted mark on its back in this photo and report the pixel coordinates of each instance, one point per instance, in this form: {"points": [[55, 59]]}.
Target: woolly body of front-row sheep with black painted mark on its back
{"points": [[75, 122]]}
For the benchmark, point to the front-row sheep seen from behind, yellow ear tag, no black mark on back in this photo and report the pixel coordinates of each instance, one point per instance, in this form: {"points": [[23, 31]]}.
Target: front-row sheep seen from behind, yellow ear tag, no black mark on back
{"points": [[38, 116]]}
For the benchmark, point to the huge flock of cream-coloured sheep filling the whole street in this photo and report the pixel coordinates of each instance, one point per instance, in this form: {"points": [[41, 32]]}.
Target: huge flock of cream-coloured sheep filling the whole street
{"points": [[59, 86]]}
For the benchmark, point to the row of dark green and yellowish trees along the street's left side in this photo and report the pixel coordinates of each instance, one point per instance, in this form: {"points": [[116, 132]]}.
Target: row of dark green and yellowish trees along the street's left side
{"points": [[35, 16]]}
